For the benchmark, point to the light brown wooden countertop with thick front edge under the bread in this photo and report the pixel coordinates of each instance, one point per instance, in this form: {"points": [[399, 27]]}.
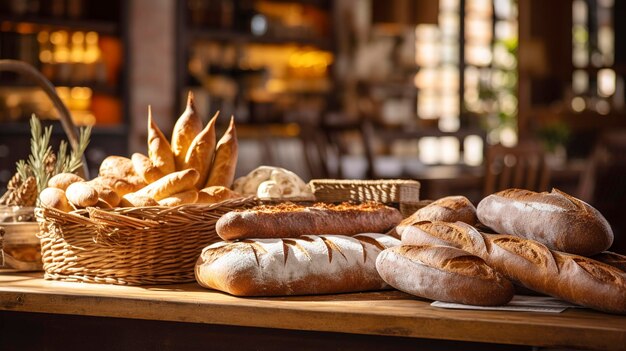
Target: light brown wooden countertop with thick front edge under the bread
{"points": [[390, 313]]}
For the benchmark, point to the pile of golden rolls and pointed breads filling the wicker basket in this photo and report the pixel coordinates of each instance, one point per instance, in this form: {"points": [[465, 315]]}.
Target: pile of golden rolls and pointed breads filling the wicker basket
{"points": [[192, 168]]}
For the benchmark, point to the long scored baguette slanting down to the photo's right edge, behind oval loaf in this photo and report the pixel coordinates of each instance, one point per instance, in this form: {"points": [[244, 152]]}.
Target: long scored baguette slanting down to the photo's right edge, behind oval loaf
{"points": [[572, 278]]}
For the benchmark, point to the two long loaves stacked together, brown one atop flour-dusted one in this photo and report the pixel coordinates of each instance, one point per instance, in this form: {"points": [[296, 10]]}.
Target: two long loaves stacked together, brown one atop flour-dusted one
{"points": [[289, 249]]}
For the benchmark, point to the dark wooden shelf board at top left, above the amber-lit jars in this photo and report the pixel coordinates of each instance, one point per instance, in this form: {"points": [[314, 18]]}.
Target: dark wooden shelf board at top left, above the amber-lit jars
{"points": [[35, 24]]}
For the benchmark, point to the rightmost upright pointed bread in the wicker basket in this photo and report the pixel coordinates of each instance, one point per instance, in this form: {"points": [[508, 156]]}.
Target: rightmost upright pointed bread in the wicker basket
{"points": [[225, 160]]}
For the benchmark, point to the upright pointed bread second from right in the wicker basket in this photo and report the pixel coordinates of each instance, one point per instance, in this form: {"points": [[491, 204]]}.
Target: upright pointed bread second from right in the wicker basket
{"points": [[200, 153]]}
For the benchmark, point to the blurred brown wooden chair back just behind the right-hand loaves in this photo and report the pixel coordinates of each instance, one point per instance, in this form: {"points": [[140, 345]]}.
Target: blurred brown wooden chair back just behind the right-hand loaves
{"points": [[523, 166]]}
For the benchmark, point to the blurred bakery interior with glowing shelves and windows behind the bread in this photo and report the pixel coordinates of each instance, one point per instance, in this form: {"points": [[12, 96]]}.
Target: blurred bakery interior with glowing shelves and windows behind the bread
{"points": [[360, 89]]}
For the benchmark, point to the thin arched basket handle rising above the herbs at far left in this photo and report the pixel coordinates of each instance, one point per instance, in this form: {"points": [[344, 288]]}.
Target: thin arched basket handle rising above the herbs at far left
{"points": [[48, 88]]}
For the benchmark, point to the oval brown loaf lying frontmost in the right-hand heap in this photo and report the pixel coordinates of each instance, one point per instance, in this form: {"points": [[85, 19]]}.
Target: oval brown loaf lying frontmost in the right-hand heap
{"points": [[443, 273]]}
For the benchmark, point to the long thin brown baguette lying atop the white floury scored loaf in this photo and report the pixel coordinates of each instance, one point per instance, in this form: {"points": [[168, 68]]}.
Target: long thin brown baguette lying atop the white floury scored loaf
{"points": [[288, 220]]}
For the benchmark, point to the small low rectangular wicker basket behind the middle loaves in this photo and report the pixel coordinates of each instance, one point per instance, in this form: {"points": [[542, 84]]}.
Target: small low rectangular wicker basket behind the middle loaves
{"points": [[403, 194]]}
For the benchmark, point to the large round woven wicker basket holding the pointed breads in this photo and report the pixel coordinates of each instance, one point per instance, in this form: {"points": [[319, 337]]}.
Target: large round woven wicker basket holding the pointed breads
{"points": [[129, 246]]}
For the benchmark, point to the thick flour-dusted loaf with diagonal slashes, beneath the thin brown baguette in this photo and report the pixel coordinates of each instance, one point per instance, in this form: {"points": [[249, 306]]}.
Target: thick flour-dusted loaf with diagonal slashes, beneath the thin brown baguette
{"points": [[324, 264]]}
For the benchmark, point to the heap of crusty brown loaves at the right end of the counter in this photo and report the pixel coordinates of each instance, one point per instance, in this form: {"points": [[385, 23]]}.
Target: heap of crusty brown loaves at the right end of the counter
{"points": [[542, 248]]}
